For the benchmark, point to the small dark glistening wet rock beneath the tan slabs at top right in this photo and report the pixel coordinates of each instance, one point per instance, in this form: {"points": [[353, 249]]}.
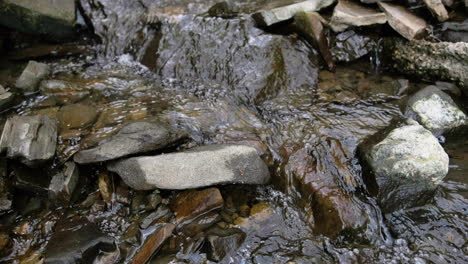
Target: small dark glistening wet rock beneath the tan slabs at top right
{"points": [[351, 45]]}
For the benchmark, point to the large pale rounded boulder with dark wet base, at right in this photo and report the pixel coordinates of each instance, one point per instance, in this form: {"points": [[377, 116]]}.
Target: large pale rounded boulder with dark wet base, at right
{"points": [[406, 167]]}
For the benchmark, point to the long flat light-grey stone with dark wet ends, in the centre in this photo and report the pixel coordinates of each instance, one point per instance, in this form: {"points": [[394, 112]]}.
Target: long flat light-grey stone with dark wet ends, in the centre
{"points": [[194, 168]]}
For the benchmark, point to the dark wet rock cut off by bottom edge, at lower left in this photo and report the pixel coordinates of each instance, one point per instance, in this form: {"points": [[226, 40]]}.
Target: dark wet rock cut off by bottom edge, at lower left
{"points": [[76, 241]]}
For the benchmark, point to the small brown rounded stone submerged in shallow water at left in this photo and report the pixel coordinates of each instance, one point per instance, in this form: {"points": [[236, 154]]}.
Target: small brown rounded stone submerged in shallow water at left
{"points": [[77, 116]]}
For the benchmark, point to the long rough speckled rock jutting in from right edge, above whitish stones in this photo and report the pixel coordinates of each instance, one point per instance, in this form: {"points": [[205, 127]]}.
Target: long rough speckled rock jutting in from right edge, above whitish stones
{"points": [[429, 61]]}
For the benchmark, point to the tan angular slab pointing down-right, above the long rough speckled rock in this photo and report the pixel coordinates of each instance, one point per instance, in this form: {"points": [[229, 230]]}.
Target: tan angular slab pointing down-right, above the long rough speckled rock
{"points": [[404, 22]]}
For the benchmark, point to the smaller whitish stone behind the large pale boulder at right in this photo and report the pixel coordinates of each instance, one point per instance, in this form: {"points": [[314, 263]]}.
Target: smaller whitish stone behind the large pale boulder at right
{"points": [[435, 110]]}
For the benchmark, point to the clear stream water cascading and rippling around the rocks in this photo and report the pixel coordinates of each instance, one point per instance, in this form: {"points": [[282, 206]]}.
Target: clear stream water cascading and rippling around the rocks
{"points": [[223, 81]]}
